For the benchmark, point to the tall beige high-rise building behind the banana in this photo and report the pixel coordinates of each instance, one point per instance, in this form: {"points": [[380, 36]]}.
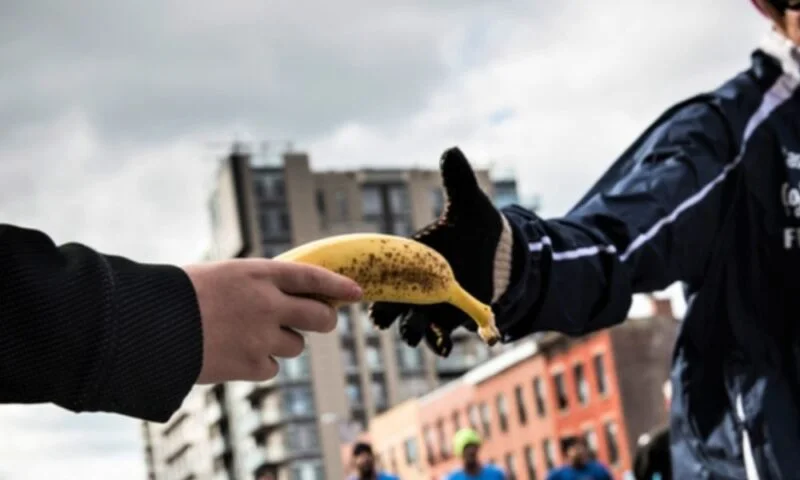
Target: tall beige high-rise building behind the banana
{"points": [[292, 426]]}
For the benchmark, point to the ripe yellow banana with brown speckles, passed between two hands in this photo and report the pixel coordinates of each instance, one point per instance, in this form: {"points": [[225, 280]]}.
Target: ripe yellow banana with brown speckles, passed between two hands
{"points": [[395, 269]]}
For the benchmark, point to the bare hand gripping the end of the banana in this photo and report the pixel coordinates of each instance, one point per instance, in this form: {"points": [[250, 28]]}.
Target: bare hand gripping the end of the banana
{"points": [[251, 307]]}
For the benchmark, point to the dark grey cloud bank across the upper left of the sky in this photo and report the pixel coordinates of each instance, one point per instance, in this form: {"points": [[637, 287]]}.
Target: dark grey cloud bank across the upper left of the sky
{"points": [[152, 70]]}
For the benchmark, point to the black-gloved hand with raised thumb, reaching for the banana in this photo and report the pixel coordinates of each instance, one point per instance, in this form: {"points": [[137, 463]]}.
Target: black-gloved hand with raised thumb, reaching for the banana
{"points": [[477, 241]]}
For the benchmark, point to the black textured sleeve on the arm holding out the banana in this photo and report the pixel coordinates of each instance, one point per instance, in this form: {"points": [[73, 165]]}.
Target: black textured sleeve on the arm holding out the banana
{"points": [[92, 332]]}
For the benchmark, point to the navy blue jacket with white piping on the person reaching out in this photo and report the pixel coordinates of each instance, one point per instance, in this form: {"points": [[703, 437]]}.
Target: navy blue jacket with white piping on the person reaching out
{"points": [[709, 196]]}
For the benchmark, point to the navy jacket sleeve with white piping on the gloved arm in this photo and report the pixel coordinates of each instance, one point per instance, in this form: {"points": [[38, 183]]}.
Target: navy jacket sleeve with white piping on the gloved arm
{"points": [[652, 226]]}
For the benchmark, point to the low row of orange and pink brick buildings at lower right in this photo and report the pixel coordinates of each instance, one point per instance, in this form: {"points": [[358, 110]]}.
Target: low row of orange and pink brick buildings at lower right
{"points": [[606, 387]]}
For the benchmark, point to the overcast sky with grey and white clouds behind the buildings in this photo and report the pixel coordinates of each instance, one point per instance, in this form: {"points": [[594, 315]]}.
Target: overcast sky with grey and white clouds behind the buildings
{"points": [[111, 114]]}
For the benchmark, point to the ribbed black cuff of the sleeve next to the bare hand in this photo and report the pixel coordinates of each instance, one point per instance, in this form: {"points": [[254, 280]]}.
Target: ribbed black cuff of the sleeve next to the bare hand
{"points": [[157, 341]]}
